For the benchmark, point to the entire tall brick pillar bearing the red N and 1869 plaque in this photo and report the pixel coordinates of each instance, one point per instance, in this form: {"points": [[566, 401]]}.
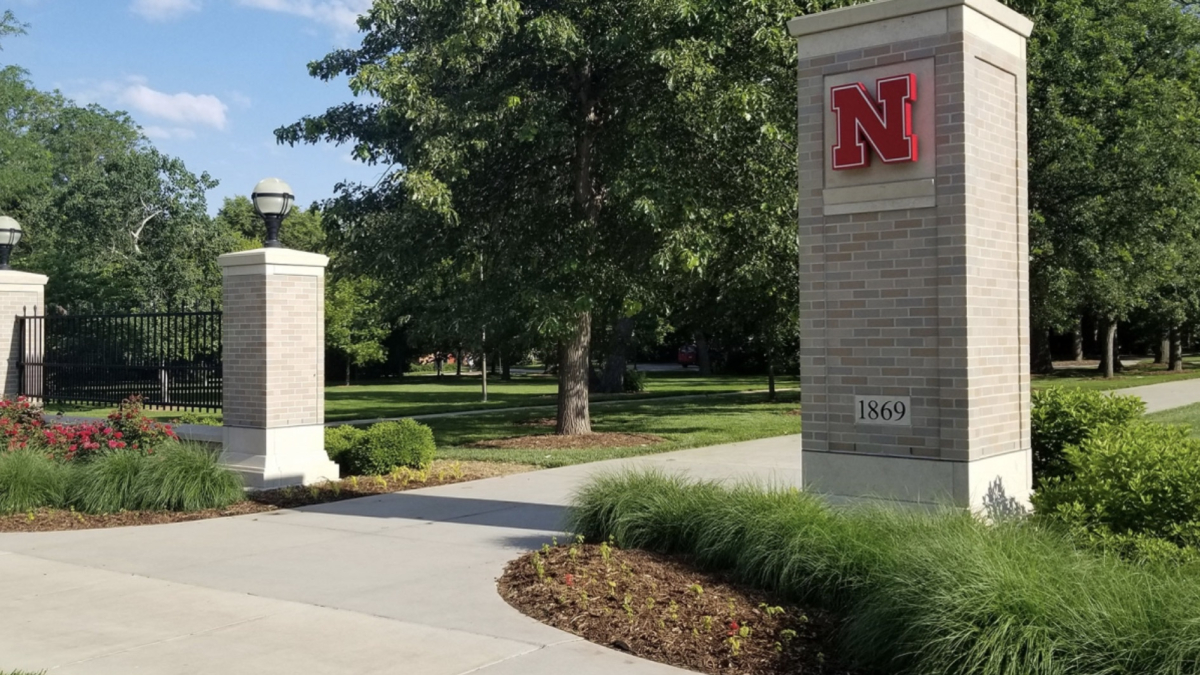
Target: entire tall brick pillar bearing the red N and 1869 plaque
{"points": [[915, 272]]}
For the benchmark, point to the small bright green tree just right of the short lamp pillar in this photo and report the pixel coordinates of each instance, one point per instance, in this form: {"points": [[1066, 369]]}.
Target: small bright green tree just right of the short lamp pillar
{"points": [[353, 326]]}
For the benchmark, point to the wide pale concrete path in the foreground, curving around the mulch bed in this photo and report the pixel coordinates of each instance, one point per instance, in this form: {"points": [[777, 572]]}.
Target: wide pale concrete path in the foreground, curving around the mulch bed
{"points": [[398, 583]]}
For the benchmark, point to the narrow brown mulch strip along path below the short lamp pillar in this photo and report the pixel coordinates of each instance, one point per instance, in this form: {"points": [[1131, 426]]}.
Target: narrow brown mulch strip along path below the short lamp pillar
{"points": [[441, 473]]}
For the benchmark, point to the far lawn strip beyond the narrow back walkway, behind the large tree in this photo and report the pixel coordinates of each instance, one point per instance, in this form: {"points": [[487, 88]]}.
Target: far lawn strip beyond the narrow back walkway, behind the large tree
{"points": [[428, 395]]}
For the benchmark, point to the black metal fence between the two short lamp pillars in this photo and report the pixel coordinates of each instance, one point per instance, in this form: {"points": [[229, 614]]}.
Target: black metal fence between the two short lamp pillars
{"points": [[172, 359]]}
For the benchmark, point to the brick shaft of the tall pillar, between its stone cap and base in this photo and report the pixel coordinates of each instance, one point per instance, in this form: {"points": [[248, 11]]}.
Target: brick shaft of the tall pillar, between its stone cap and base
{"points": [[925, 303]]}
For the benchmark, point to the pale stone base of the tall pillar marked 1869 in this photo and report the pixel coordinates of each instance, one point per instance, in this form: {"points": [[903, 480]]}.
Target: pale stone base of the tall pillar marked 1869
{"points": [[998, 486]]}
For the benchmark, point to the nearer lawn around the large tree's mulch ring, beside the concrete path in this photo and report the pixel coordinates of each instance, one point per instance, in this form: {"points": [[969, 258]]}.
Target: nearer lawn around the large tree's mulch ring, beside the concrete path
{"points": [[685, 425]]}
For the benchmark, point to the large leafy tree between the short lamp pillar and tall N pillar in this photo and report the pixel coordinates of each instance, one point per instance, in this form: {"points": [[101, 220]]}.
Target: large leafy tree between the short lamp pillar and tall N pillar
{"points": [[548, 134]]}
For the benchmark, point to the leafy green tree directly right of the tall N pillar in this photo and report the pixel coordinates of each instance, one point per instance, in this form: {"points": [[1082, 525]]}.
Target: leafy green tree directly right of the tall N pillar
{"points": [[1114, 141]]}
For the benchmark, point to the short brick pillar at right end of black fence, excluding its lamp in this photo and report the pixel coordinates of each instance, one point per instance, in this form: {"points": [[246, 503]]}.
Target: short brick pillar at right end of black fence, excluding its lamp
{"points": [[274, 354]]}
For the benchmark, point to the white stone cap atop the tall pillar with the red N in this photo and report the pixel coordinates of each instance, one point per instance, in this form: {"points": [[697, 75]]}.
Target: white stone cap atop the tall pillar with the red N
{"points": [[885, 10]]}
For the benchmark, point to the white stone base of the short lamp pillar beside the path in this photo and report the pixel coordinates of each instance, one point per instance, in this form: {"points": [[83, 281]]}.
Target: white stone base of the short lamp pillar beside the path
{"points": [[278, 458]]}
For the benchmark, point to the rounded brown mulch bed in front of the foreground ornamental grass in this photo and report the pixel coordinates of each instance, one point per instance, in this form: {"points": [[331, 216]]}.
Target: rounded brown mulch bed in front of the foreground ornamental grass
{"points": [[663, 610]]}
